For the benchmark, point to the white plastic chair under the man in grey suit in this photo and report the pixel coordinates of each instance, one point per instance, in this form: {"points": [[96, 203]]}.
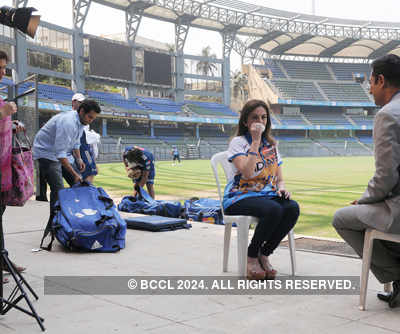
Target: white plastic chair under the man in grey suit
{"points": [[370, 235]]}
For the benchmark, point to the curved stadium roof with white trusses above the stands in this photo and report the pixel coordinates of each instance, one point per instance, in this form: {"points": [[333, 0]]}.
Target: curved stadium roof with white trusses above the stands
{"points": [[276, 32]]}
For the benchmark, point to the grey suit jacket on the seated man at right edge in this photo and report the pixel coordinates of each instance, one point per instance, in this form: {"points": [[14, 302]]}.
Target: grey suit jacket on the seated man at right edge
{"points": [[382, 196]]}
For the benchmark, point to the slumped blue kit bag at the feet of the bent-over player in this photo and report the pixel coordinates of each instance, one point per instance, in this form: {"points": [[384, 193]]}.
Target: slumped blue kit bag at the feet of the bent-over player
{"points": [[145, 204]]}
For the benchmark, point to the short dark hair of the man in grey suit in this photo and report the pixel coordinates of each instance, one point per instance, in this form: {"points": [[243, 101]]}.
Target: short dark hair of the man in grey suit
{"points": [[389, 67]]}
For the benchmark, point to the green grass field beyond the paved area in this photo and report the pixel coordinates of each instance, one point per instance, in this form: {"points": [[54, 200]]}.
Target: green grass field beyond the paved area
{"points": [[319, 185]]}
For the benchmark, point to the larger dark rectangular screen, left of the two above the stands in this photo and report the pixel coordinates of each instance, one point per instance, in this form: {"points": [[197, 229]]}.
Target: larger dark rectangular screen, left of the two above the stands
{"points": [[110, 60]]}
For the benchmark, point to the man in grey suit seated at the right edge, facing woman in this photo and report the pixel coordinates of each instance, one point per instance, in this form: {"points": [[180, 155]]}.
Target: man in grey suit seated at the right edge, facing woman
{"points": [[379, 206]]}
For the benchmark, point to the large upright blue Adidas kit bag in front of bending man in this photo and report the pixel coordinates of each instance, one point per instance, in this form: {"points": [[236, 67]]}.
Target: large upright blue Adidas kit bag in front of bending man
{"points": [[85, 218]]}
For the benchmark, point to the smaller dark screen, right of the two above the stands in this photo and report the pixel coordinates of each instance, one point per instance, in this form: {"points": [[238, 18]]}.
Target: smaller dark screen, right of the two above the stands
{"points": [[157, 68]]}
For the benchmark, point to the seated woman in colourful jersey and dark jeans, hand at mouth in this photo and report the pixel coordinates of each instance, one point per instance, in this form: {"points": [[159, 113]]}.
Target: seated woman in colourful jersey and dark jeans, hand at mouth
{"points": [[258, 189]]}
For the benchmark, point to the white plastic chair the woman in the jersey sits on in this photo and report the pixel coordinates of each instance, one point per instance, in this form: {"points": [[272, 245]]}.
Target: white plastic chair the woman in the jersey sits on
{"points": [[242, 222]]}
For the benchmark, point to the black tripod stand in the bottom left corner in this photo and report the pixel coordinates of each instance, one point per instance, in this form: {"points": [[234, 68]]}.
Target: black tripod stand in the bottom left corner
{"points": [[18, 293]]}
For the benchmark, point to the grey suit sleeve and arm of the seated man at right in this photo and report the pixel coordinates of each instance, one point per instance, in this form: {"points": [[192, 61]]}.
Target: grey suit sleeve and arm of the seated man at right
{"points": [[387, 160]]}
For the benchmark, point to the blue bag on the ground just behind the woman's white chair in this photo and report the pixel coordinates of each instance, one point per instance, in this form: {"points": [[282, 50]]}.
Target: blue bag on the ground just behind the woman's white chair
{"points": [[206, 210]]}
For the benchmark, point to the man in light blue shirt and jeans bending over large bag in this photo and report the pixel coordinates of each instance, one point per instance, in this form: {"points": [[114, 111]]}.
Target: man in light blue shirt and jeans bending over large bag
{"points": [[60, 135]]}
